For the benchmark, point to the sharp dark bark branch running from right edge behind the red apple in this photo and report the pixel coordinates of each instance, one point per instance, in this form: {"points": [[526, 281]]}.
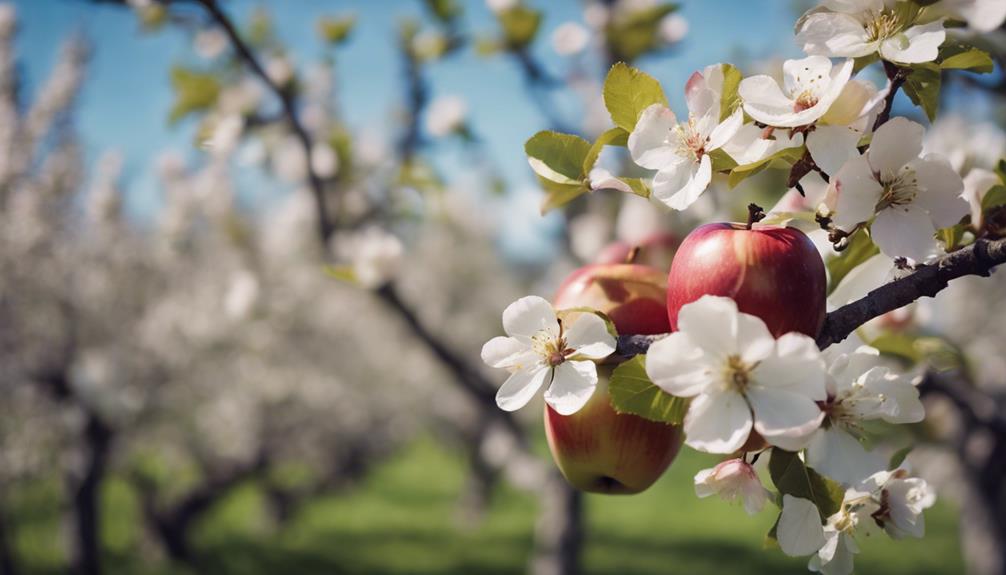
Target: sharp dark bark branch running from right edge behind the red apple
{"points": [[979, 259]]}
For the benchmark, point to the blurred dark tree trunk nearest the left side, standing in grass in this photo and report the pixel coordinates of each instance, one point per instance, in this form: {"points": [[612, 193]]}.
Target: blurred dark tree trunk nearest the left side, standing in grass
{"points": [[86, 557]]}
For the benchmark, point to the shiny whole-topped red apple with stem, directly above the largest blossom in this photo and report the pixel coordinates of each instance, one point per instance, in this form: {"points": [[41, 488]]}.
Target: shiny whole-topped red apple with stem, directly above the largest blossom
{"points": [[773, 273]]}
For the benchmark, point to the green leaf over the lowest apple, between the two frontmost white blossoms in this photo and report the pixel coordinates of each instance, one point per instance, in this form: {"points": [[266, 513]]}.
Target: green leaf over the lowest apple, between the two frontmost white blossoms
{"points": [[633, 393]]}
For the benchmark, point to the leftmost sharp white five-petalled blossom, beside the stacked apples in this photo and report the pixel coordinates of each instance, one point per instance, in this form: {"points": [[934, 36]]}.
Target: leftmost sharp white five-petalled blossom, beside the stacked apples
{"points": [[540, 350]]}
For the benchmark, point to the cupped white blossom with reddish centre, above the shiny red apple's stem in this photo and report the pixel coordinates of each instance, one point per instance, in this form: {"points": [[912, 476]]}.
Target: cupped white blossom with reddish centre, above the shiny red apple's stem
{"points": [[811, 86]]}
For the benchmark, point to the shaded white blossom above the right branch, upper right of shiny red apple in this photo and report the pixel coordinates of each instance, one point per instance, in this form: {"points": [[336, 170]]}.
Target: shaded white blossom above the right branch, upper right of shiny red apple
{"points": [[912, 197]]}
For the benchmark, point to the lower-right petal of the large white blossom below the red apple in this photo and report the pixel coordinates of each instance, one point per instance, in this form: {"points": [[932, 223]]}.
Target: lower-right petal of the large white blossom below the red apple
{"points": [[780, 413]]}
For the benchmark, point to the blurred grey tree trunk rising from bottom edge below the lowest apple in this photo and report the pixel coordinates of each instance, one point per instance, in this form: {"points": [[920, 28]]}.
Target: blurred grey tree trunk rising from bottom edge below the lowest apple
{"points": [[559, 534]]}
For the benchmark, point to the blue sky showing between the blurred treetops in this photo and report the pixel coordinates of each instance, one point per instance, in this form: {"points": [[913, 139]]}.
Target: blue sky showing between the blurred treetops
{"points": [[127, 96]]}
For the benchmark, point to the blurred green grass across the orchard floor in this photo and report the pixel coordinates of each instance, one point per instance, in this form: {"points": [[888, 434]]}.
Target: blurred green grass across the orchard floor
{"points": [[403, 520]]}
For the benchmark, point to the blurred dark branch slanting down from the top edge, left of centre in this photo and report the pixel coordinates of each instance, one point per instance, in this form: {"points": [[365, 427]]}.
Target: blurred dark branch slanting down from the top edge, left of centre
{"points": [[286, 96]]}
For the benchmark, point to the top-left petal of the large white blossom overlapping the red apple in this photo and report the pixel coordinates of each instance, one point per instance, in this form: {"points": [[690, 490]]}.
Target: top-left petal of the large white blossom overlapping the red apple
{"points": [[712, 324]]}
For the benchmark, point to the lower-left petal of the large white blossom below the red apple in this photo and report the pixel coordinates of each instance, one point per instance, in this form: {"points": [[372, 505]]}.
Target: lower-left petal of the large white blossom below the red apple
{"points": [[718, 424]]}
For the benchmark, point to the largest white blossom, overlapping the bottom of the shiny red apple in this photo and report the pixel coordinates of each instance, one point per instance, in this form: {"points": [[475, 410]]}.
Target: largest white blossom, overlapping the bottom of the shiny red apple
{"points": [[741, 378]]}
